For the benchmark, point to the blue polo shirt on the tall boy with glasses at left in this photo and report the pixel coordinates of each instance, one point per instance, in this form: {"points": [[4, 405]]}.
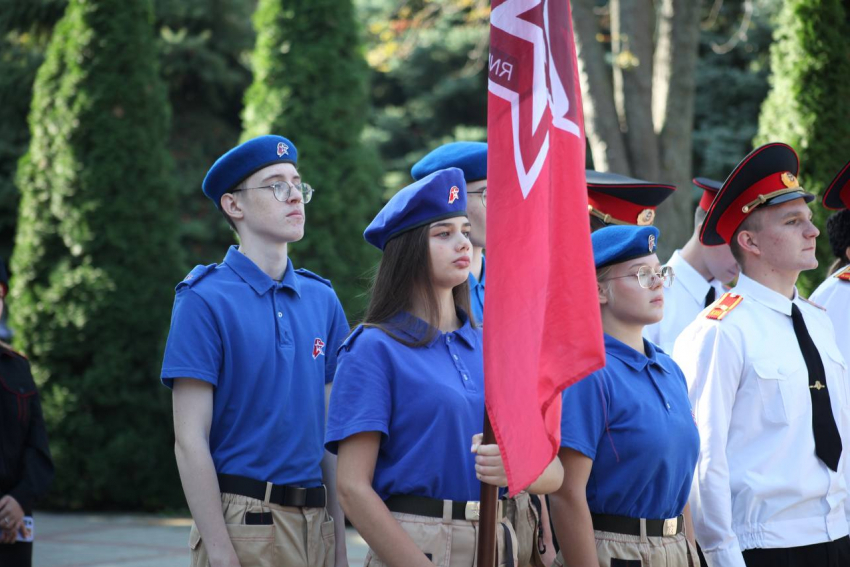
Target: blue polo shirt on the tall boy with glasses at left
{"points": [[269, 348]]}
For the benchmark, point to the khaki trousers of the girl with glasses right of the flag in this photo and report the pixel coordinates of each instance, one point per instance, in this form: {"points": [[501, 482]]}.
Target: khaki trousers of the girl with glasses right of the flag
{"points": [[620, 549]]}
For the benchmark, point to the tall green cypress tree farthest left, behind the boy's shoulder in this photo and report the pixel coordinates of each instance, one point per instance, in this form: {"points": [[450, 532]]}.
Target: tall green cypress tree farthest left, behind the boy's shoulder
{"points": [[95, 259]]}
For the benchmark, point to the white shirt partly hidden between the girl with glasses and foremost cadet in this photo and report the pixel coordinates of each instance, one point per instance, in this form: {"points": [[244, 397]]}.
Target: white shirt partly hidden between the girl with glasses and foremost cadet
{"points": [[683, 301]]}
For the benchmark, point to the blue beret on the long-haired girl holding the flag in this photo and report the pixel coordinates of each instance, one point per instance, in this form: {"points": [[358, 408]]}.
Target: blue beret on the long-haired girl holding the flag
{"points": [[440, 195]]}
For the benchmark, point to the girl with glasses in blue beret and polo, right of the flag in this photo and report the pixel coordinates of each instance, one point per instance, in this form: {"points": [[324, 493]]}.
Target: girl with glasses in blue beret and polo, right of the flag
{"points": [[629, 443]]}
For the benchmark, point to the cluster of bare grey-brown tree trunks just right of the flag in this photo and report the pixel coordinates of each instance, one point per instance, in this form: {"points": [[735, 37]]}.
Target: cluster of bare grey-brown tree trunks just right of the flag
{"points": [[641, 123]]}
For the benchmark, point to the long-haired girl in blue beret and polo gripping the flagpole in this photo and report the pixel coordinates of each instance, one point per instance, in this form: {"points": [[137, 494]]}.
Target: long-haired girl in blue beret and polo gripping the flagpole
{"points": [[408, 397]]}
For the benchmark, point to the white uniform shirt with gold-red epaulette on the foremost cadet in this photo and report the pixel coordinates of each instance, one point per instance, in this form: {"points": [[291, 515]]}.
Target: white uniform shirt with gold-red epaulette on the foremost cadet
{"points": [[758, 482]]}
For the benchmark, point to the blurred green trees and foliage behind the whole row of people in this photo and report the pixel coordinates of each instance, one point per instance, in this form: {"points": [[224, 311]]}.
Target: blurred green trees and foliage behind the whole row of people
{"points": [[112, 111]]}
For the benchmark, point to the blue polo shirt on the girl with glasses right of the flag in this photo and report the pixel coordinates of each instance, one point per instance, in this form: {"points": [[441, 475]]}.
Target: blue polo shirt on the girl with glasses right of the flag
{"points": [[633, 418]]}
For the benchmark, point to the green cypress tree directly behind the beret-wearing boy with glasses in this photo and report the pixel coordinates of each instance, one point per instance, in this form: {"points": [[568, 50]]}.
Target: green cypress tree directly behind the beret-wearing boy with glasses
{"points": [[310, 84]]}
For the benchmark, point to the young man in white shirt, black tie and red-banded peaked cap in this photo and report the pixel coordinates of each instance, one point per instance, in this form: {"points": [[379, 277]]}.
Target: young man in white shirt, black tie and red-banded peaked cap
{"points": [[768, 385]]}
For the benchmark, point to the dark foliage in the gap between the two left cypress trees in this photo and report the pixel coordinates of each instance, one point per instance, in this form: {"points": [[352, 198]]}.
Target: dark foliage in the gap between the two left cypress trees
{"points": [[204, 47]]}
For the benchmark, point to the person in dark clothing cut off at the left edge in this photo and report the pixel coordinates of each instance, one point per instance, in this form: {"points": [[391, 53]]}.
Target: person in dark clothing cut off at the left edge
{"points": [[26, 469]]}
